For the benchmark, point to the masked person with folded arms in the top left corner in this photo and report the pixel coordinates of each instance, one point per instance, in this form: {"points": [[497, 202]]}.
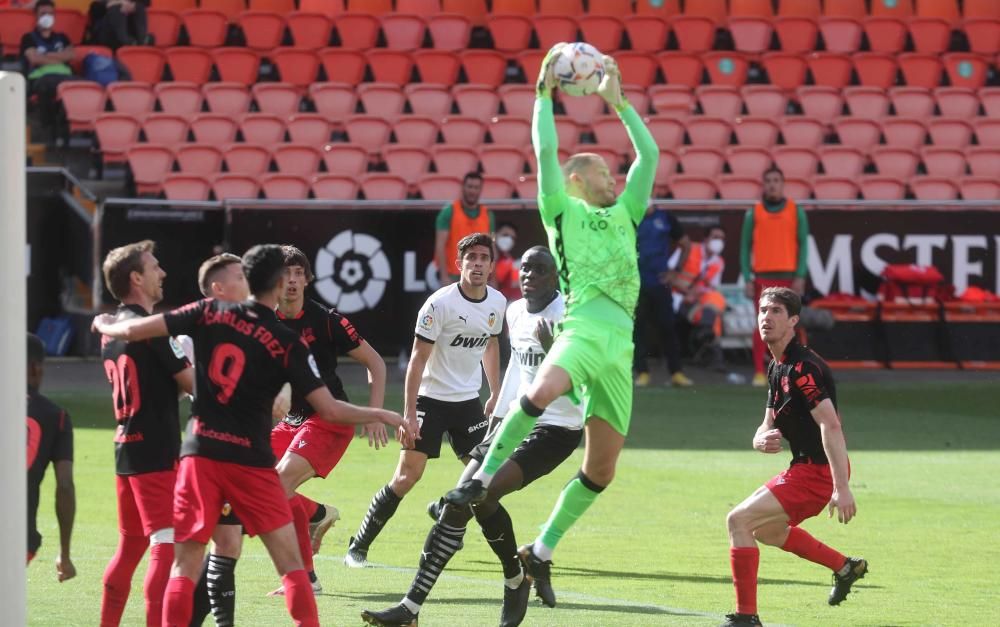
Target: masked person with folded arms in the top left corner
{"points": [[46, 55]]}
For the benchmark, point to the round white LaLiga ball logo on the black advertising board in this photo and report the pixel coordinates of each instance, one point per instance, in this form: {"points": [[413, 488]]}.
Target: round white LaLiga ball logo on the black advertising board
{"points": [[352, 271]]}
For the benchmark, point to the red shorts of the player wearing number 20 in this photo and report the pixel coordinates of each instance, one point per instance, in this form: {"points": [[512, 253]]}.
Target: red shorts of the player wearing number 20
{"points": [[144, 502]]}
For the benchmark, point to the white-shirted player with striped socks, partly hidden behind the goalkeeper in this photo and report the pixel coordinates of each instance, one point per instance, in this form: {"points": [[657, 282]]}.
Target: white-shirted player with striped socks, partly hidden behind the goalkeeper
{"points": [[556, 435]]}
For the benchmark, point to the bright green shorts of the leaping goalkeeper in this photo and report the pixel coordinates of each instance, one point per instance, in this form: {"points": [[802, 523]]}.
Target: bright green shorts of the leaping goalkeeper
{"points": [[597, 354]]}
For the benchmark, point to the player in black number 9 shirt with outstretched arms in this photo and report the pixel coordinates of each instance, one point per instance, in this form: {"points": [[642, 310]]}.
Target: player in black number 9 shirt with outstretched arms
{"points": [[243, 356]]}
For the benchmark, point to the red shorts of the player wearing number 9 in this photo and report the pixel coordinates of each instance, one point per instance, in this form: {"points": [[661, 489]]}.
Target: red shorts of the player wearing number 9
{"points": [[205, 485]]}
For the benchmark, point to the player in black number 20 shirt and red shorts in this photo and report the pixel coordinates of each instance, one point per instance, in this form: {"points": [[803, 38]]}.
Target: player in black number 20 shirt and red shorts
{"points": [[144, 377]]}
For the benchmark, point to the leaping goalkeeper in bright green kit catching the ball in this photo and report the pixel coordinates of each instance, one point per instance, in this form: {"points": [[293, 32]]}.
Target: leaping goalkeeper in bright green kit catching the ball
{"points": [[593, 237]]}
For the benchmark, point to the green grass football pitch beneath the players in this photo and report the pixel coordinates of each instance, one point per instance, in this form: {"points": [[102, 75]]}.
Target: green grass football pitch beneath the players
{"points": [[653, 550]]}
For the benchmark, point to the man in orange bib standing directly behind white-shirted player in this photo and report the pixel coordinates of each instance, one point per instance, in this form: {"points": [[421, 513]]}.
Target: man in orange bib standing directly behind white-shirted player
{"points": [[456, 220]]}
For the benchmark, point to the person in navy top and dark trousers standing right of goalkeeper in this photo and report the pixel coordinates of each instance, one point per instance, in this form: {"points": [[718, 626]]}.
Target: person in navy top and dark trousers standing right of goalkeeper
{"points": [[663, 247]]}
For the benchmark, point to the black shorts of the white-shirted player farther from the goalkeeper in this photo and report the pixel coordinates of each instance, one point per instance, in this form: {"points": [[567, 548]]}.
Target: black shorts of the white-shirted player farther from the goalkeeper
{"points": [[463, 421]]}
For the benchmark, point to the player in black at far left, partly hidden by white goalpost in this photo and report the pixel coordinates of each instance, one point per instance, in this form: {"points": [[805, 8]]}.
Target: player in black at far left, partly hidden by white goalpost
{"points": [[50, 440]]}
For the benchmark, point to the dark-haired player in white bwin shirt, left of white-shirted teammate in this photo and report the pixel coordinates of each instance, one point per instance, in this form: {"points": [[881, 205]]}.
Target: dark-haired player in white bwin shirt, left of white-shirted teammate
{"points": [[456, 330]]}
